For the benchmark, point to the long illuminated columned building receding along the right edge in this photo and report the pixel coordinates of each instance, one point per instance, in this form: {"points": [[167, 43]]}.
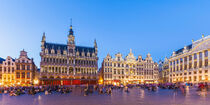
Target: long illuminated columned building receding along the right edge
{"points": [[191, 63]]}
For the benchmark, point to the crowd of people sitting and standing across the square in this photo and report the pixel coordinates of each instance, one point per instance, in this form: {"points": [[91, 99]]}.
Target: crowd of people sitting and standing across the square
{"points": [[100, 89]]}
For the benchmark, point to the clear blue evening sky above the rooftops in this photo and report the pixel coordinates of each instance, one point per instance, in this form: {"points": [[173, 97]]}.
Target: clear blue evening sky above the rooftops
{"points": [[157, 27]]}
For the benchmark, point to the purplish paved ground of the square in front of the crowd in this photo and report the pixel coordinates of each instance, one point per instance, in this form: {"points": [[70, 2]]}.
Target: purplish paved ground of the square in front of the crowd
{"points": [[135, 97]]}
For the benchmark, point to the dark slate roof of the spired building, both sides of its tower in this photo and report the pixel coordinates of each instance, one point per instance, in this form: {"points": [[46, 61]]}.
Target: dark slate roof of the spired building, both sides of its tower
{"points": [[63, 47]]}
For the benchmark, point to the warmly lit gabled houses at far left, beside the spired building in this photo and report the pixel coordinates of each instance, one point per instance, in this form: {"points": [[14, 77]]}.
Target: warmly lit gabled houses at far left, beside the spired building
{"points": [[19, 71]]}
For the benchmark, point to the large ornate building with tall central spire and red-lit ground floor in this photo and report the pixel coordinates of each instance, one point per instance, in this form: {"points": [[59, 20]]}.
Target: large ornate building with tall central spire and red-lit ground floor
{"points": [[68, 64]]}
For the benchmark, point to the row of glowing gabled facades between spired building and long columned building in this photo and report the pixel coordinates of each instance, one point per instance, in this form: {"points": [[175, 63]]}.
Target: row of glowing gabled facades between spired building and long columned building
{"points": [[129, 70]]}
